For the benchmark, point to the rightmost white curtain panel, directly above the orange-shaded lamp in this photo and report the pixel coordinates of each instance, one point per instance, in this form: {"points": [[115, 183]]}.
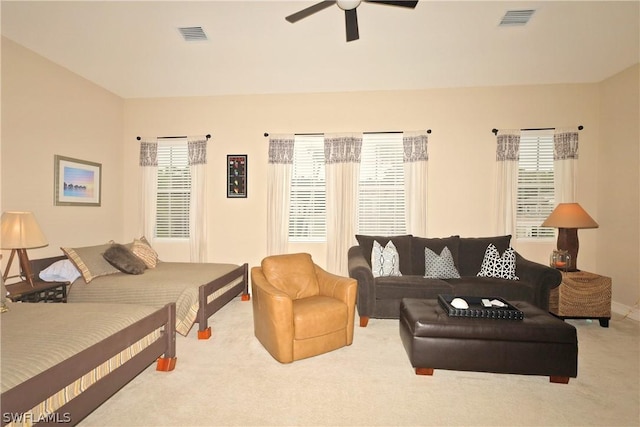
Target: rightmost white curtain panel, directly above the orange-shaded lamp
{"points": [[565, 164]]}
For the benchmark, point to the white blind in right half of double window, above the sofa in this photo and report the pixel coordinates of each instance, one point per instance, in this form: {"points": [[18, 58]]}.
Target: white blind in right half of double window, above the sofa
{"points": [[381, 207]]}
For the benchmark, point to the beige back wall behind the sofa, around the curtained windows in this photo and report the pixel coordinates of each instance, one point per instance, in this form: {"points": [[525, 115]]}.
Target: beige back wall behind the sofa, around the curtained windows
{"points": [[462, 150]]}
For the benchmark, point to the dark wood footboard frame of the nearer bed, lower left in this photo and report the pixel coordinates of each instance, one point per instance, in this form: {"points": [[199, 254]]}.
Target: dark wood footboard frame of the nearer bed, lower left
{"points": [[22, 398]]}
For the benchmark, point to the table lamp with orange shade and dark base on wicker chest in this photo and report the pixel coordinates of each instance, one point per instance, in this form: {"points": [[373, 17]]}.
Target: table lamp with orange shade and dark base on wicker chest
{"points": [[568, 218]]}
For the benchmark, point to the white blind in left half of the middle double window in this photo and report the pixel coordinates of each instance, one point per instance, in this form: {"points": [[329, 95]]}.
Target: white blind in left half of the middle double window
{"points": [[307, 214]]}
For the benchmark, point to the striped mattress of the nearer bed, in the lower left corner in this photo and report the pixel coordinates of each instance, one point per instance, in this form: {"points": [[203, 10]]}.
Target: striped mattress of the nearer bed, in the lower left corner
{"points": [[36, 337]]}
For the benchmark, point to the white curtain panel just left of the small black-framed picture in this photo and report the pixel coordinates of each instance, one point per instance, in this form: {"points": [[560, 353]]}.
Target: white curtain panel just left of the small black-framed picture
{"points": [[197, 150]]}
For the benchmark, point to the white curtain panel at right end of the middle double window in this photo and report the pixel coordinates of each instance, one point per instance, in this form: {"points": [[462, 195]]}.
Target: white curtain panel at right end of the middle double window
{"points": [[416, 162]]}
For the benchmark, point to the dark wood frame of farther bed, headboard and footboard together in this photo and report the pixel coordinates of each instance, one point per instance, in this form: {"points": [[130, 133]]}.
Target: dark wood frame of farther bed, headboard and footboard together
{"points": [[205, 309]]}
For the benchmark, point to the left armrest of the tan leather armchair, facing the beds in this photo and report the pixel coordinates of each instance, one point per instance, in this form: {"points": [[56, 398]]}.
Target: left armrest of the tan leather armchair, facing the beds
{"points": [[272, 316]]}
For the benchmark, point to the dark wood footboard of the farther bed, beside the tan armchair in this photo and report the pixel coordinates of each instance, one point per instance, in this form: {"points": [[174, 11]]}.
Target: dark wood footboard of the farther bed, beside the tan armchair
{"points": [[223, 289]]}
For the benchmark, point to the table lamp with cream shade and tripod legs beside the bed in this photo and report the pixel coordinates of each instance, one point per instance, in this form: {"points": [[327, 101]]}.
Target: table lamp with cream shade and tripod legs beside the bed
{"points": [[20, 231]]}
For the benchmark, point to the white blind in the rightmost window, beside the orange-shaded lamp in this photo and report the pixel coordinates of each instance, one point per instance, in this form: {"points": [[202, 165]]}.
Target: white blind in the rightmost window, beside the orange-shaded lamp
{"points": [[536, 198]]}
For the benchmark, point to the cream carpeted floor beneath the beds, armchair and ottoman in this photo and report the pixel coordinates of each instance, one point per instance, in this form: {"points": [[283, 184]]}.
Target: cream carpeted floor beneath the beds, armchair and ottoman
{"points": [[230, 380]]}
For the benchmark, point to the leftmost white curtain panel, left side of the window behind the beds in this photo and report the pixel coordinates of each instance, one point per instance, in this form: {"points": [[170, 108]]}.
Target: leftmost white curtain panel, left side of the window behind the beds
{"points": [[148, 190]]}
